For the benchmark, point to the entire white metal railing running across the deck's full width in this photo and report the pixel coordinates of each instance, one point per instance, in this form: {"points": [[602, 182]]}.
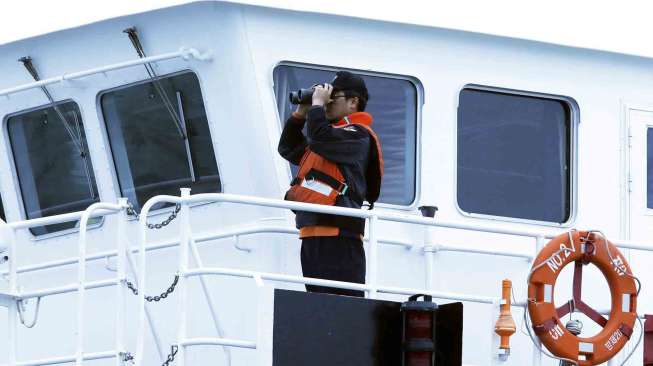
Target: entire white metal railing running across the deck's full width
{"points": [[187, 243]]}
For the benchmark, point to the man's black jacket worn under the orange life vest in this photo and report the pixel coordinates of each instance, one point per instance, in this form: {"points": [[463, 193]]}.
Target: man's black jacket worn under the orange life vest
{"points": [[348, 147]]}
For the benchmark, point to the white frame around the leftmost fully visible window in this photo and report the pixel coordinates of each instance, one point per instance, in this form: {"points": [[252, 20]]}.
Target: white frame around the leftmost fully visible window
{"points": [[10, 155]]}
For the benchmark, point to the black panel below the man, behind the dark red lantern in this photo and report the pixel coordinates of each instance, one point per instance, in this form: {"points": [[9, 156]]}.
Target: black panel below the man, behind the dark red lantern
{"points": [[327, 330]]}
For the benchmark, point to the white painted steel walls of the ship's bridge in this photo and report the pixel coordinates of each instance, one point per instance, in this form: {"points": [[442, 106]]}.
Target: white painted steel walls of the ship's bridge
{"points": [[466, 259]]}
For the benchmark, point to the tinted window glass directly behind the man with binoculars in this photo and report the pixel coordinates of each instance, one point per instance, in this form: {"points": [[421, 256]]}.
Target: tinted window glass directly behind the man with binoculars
{"points": [[393, 104]]}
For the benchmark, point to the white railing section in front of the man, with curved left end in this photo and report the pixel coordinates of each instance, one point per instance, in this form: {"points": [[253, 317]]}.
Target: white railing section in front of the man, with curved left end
{"points": [[371, 287]]}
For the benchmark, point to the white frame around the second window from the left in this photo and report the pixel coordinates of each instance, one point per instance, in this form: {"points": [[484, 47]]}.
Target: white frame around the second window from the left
{"points": [[109, 150]]}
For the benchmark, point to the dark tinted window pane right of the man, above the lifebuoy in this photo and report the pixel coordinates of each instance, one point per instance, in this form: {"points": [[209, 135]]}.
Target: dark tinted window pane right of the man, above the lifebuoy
{"points": [[514, 156]]}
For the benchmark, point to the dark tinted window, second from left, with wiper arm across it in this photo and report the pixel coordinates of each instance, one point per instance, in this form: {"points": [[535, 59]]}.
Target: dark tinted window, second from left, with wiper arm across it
{"points": [[146, 124]]}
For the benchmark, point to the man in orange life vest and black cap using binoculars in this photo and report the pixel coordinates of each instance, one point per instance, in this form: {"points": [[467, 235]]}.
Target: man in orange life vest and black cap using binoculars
{"points": [[340, 164]]}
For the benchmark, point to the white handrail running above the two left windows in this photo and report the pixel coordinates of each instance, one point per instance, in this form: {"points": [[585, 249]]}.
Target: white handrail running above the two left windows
{"points": [[184, 52]]}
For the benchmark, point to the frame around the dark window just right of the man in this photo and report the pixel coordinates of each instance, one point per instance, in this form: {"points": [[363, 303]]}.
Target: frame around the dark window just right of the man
{"points": [[574, 111]]}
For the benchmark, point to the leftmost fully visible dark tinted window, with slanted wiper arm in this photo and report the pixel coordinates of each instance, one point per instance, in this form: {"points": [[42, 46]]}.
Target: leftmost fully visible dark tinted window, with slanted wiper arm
{"points": [[53, 166]]}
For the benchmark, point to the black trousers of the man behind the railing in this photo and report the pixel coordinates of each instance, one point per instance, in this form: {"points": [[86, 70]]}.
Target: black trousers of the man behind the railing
{"points": [[334, 258]]}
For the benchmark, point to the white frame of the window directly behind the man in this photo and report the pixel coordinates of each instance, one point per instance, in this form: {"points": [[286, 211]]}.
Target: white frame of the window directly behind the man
{"points": [[419, 89]]}
